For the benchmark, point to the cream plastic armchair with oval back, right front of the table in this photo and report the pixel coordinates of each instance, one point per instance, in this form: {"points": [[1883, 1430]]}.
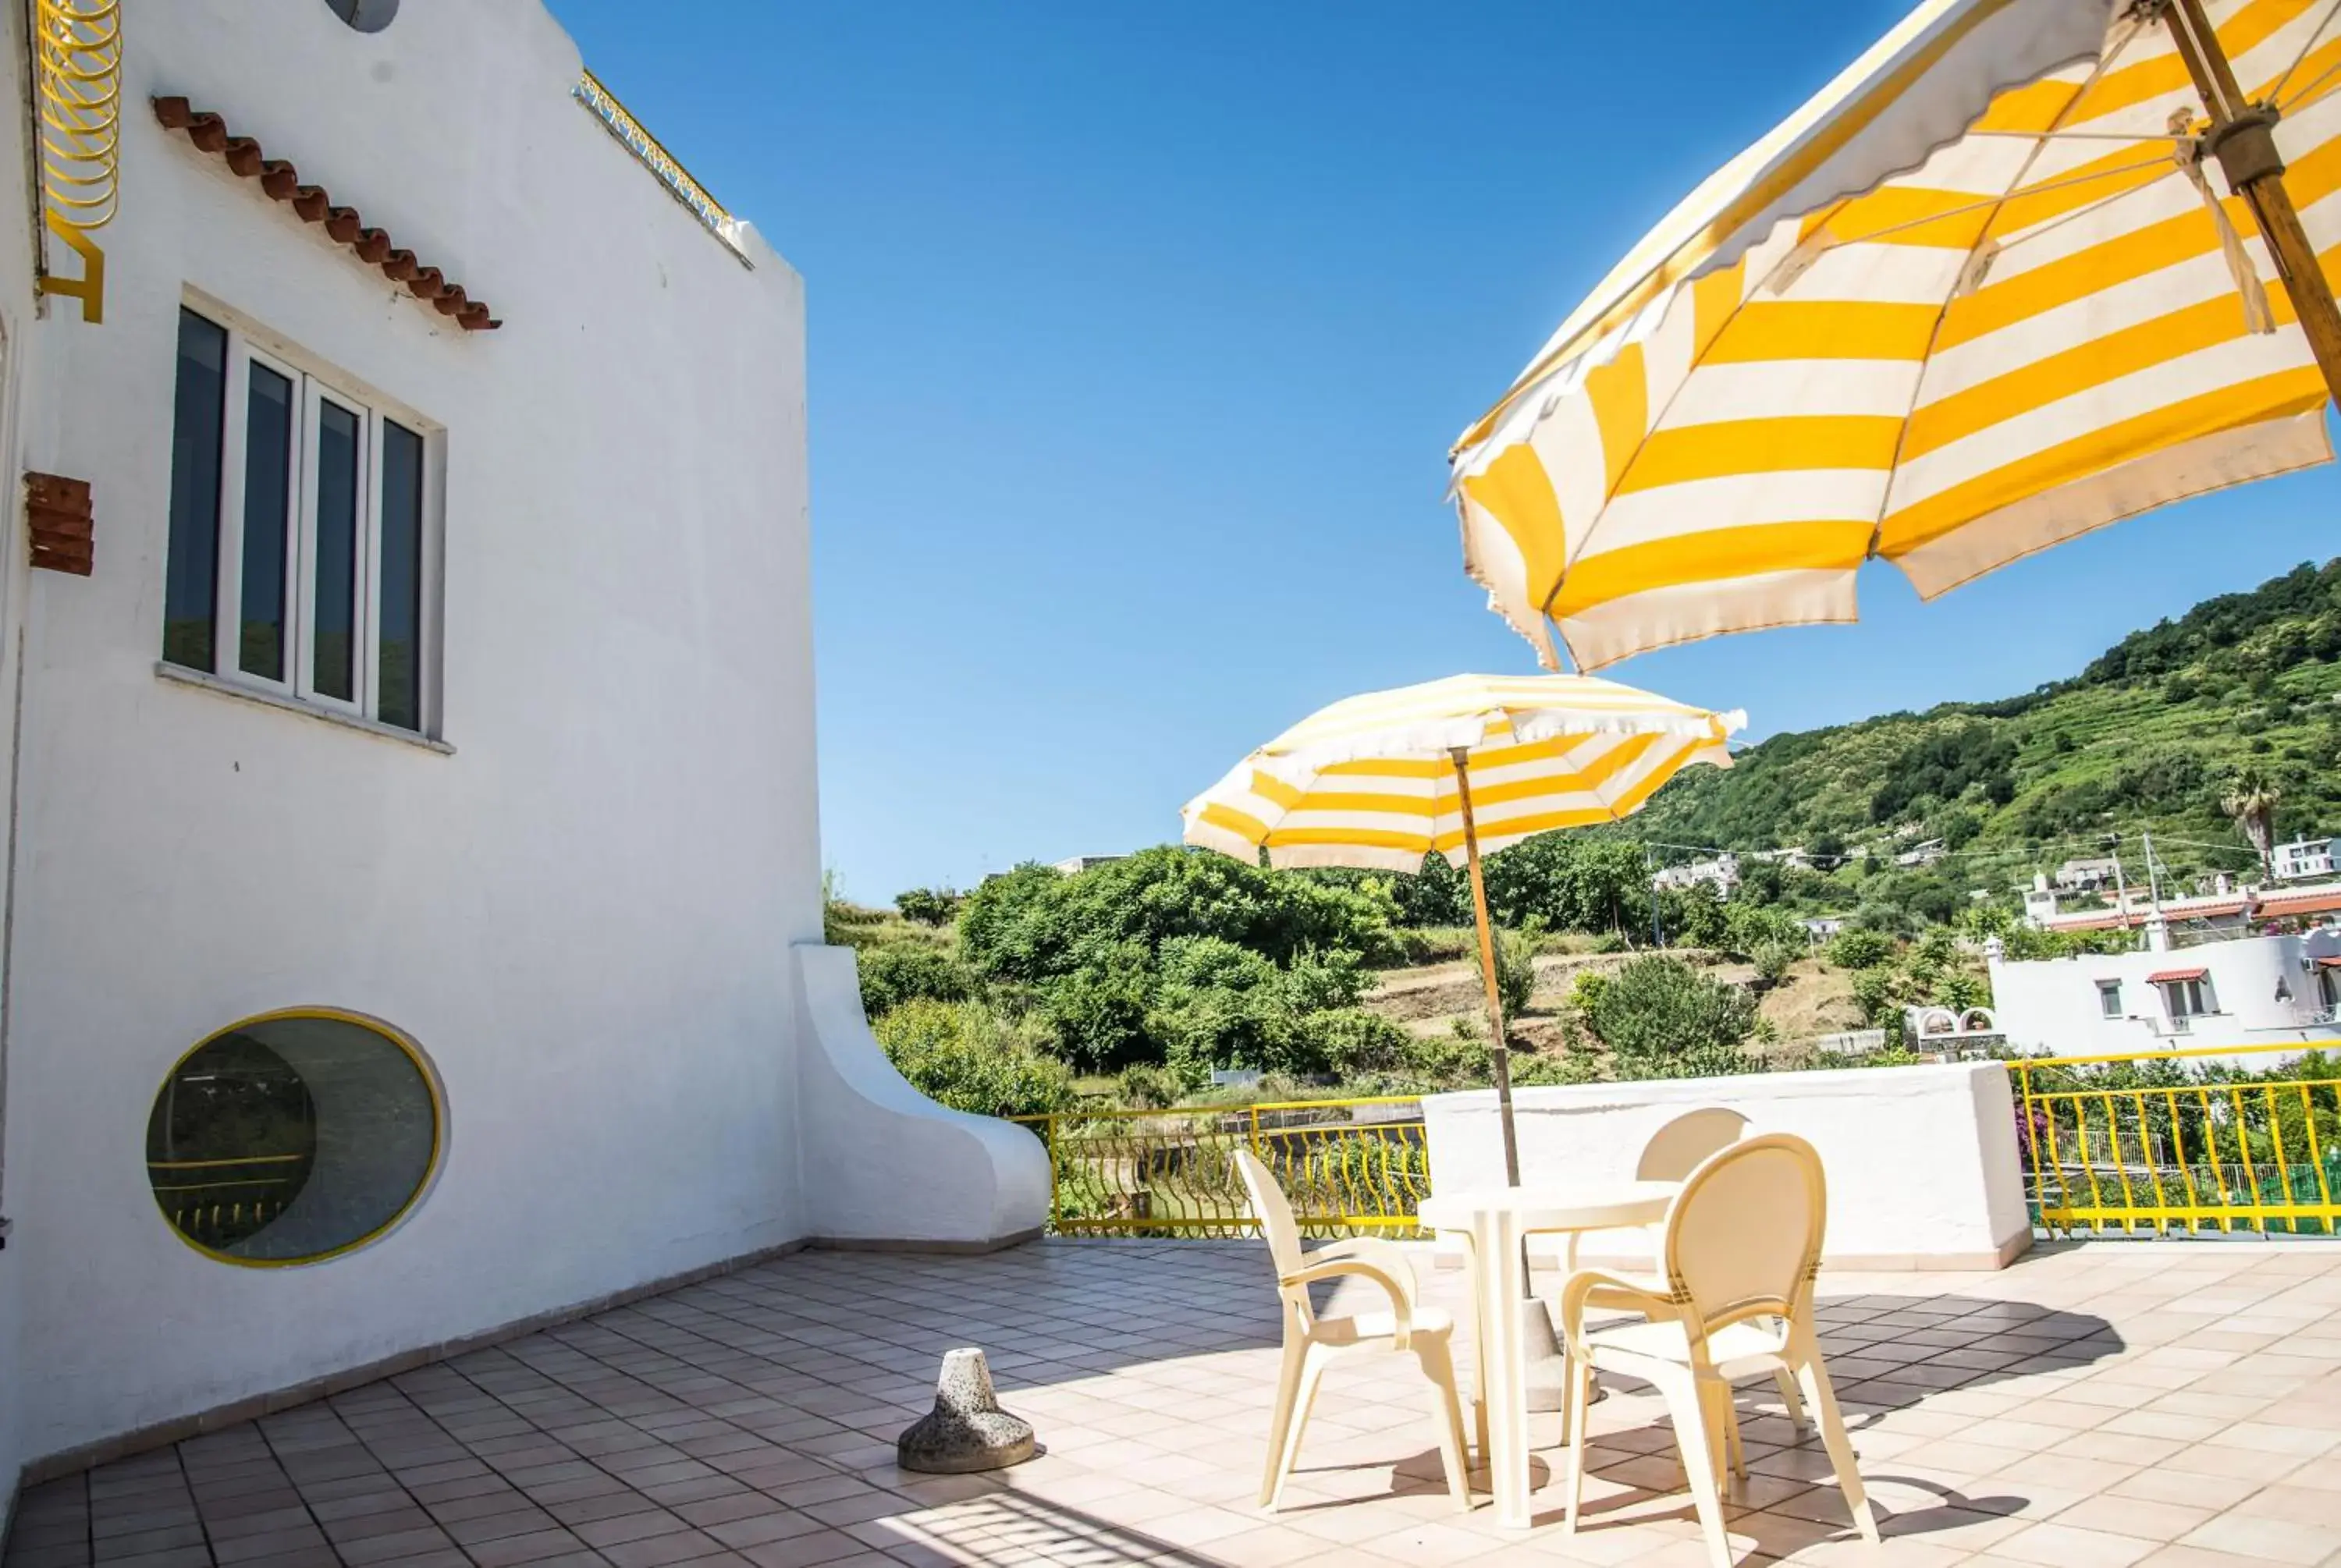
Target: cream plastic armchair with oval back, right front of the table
{"points": [[1741, 1253]]}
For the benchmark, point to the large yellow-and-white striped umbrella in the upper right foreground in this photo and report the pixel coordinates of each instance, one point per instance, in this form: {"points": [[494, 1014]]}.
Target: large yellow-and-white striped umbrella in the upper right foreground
{"points": [[1986, 291]]}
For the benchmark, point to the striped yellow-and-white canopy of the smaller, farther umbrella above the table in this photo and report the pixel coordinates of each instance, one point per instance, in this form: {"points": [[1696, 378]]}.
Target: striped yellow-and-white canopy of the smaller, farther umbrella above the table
{"points": [[1373, 780]]}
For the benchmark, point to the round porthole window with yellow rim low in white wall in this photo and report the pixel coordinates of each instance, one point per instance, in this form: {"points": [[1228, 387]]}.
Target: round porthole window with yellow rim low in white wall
{"points": [[294, 1139]]}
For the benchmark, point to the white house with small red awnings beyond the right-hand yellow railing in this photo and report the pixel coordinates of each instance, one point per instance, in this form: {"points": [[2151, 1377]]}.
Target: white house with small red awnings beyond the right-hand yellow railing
{"points": [[2253, 991]]}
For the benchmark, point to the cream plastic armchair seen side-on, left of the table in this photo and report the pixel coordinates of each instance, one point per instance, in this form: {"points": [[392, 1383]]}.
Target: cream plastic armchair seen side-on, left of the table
{"points": [[1317, 1342]]}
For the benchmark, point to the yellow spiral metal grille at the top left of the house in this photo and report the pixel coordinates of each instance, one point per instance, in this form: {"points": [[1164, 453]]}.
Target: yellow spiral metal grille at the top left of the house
{"points": [[78, 76]]}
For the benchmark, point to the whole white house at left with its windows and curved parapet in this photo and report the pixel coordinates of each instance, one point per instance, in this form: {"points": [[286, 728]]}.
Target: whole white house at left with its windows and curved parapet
{"points": [[416, 867]]}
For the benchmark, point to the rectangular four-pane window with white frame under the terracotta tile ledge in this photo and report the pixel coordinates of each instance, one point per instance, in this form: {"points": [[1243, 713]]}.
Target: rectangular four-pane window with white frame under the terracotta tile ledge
{"points": [[298, 532]]}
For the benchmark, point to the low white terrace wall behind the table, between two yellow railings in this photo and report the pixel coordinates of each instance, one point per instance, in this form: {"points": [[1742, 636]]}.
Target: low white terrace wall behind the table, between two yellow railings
{"points": [[1921, 1162]]}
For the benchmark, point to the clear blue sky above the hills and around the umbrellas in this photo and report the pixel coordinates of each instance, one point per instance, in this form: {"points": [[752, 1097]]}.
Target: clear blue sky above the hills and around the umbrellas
{"points": [[1139, 338]]}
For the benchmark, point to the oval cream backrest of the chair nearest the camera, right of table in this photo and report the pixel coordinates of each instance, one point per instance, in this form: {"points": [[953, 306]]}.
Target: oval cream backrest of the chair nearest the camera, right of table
{"points": [[1745, 1235]]}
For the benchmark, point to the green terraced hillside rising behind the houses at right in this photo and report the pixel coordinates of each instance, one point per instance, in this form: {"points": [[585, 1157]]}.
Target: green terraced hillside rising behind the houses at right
{"points": [[2148, 741]]}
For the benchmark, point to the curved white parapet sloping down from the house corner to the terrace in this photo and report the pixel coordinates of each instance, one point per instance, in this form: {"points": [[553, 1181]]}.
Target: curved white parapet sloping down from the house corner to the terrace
{"points": [[881, 1162]]}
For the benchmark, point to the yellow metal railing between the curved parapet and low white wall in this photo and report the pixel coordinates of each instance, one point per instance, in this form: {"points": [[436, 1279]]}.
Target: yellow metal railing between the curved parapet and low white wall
{"points": [[1350, 1167]]}
